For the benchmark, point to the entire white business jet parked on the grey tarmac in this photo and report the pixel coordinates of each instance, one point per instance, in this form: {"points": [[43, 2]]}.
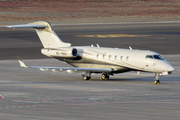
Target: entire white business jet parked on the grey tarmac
{"points": [[95, 59]]}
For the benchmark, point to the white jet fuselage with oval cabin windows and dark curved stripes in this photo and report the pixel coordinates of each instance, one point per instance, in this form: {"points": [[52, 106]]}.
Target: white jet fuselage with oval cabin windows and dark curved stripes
{"points": [[119, 60]]}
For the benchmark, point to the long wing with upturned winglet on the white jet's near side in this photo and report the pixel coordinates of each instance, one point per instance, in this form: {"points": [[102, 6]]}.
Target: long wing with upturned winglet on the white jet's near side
{"points": [[68, 69]]}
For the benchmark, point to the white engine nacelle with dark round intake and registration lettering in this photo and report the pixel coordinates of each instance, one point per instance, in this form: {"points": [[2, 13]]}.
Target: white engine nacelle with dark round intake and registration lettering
{"points": [[64, 52]]}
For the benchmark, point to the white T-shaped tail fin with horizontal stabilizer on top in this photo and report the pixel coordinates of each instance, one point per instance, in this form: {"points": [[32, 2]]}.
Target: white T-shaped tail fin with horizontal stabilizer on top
{"points": [[48, 37]]}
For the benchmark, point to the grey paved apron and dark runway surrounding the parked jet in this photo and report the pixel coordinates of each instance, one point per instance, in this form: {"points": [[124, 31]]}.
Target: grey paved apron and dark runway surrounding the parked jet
{"points": [[33, 94]]}
